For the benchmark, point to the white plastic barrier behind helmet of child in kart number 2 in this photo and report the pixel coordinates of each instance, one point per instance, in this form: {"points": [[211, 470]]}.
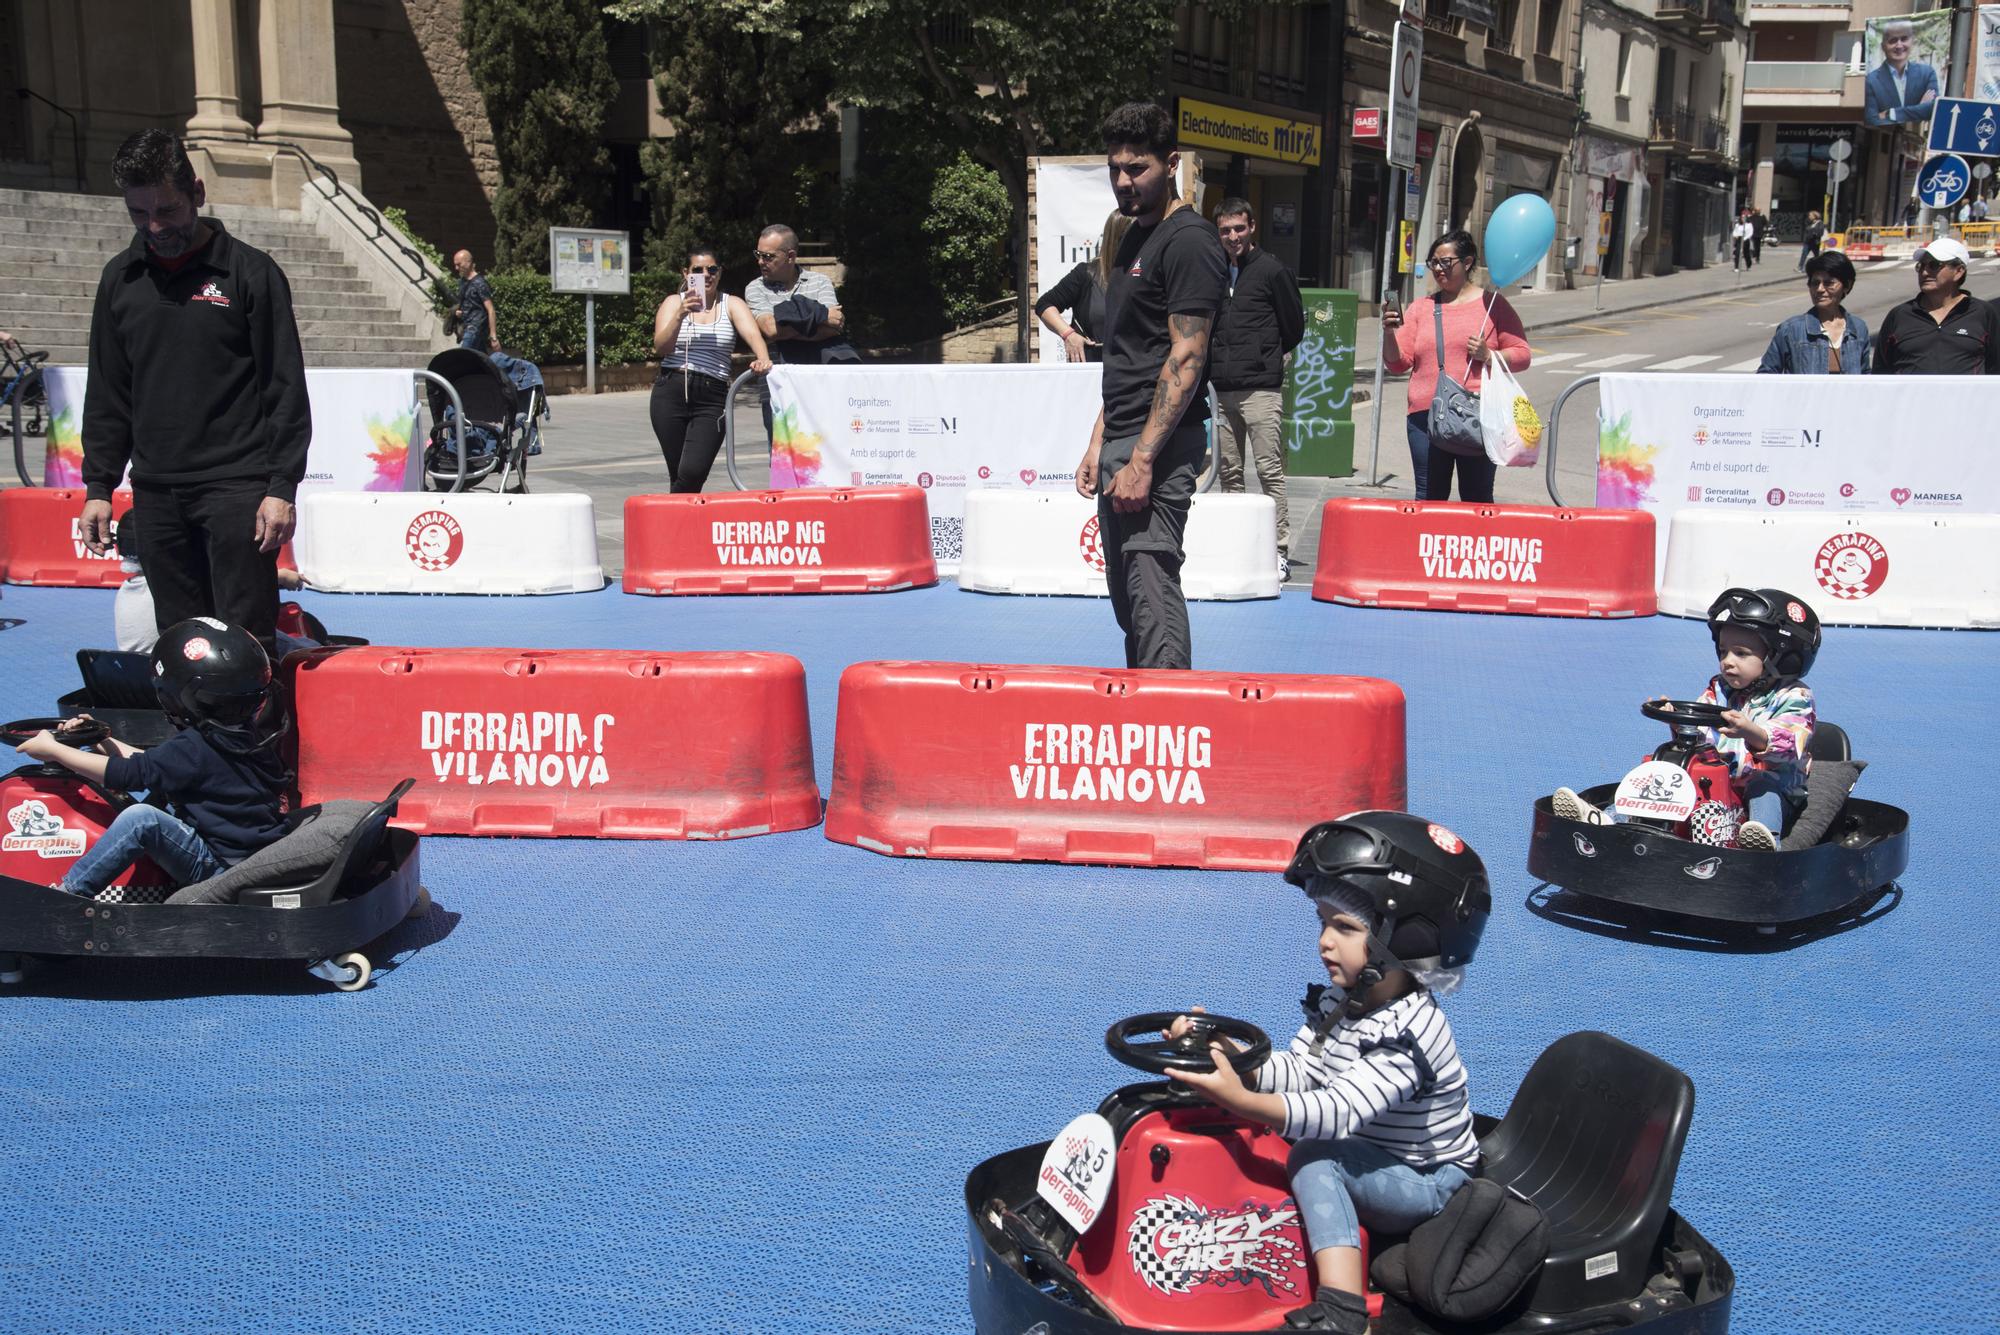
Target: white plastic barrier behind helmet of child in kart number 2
{"points": [[1855, 571]]}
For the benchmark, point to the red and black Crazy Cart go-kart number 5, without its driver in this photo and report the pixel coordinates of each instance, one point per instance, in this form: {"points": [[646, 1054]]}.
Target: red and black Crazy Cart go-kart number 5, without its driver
{"points": [[1165, 1214]]}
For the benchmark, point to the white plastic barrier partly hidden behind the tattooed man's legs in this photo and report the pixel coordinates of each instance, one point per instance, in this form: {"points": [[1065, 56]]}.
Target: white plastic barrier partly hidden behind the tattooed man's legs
{"points": [[1047, 543]]}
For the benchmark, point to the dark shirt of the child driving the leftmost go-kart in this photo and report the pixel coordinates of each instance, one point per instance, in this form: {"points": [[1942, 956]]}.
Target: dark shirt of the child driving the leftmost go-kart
{"points": [[235, 802]]}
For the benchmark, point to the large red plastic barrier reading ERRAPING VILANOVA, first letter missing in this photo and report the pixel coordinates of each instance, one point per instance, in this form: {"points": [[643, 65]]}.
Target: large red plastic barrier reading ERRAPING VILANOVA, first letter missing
{"points": [[1081, 764]]}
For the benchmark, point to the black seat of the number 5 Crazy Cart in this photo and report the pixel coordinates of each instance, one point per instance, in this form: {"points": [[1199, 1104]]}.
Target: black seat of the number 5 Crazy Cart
{"points": [[1595, 1138]]}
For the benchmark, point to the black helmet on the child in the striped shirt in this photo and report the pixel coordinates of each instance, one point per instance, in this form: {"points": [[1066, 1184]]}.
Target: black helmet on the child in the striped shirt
{"points": [[1427, 884]]}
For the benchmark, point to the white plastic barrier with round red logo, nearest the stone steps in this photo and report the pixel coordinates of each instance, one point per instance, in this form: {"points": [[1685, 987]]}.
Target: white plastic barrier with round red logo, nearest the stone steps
{"points": [[433, 543]]}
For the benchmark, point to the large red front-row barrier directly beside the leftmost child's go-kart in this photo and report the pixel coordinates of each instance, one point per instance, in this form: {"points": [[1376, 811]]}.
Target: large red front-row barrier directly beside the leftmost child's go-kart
{"points": [[567, 742]]}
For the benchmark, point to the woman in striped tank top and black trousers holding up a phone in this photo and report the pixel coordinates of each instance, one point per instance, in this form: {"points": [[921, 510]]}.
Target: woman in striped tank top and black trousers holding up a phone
{"points": [[695, 333]]}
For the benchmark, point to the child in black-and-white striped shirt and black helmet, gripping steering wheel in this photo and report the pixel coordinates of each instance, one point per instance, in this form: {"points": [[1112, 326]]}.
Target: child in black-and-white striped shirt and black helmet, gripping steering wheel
{"points": [[1373, 1094]]}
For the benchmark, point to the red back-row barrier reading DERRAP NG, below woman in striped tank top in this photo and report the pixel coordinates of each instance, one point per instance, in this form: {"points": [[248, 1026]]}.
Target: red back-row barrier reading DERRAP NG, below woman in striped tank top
{"points": [[807, 541]]}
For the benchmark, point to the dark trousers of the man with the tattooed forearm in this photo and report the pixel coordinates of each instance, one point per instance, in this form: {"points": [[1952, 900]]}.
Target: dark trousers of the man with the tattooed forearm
{"points": [[1143, 551]]}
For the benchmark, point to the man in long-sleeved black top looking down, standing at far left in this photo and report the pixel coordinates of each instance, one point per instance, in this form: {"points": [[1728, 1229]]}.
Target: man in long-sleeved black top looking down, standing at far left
{"points": [[199, 385]]}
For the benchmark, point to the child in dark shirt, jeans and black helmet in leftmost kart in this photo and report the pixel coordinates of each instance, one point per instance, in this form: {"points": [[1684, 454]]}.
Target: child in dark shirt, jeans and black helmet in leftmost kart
{"points": [[223, 770]]}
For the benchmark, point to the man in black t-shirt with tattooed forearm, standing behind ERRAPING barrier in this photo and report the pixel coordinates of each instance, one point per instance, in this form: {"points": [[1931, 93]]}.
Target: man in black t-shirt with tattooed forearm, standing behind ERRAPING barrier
{"points": [[1147, 449]]}
